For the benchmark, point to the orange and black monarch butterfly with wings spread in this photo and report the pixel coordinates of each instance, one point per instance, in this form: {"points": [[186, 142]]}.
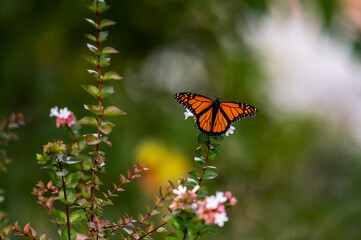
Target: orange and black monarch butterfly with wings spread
{"points": [[214, 118]]}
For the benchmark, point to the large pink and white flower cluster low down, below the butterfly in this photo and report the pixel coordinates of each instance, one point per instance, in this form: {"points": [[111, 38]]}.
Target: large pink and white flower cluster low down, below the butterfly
{"points": [[211, 209]]}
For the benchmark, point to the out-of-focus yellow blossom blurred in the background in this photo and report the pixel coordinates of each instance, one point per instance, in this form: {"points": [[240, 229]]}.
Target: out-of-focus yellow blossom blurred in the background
{"points": [[163, 162]]}
